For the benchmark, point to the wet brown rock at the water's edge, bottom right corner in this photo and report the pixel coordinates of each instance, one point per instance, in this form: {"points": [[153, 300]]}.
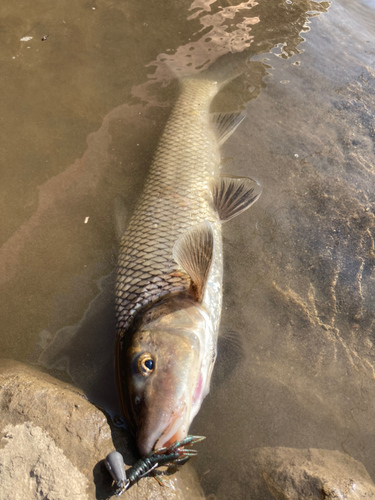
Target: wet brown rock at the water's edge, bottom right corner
{"points": [[292, 474]]}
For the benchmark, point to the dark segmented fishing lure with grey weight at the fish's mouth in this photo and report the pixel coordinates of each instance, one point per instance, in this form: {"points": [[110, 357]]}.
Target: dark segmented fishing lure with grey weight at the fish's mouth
{"points": [[173, 456]]}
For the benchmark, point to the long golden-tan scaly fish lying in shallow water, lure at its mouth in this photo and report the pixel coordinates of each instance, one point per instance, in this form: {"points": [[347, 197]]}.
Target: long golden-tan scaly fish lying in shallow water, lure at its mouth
{"points": [[170, 271]]}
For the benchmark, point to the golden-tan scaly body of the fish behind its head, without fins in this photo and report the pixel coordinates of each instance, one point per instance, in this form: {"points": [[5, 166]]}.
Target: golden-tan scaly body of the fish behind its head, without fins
{"points": [[176, 197]]}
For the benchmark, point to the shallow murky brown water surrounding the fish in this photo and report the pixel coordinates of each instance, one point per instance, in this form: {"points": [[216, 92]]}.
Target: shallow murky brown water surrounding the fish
{"points": [[81, 113]]}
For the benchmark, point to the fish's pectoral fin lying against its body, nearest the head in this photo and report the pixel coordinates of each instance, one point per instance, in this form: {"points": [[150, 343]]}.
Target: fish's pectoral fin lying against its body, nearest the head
{"points": [[193, 251]]}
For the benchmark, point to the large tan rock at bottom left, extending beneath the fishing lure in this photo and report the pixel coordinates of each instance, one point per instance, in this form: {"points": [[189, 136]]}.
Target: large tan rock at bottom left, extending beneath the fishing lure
{"points": [[53, 442]]}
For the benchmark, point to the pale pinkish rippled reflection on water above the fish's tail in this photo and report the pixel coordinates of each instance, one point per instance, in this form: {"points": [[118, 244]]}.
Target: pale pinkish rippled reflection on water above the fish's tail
{"points": [[243, 30]]}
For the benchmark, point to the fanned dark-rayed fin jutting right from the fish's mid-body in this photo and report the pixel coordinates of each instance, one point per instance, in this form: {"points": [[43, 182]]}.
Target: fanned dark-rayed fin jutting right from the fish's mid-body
{"points": [[233, 195]]}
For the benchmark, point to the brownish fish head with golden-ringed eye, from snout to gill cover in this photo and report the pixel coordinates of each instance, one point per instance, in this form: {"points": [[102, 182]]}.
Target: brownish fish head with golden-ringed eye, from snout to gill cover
{"points": [[166, 378]]}
